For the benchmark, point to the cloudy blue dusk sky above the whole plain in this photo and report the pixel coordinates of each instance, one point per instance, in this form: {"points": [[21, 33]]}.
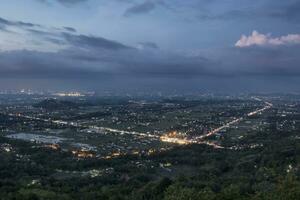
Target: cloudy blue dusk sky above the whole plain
{"points": [[150, 45]]}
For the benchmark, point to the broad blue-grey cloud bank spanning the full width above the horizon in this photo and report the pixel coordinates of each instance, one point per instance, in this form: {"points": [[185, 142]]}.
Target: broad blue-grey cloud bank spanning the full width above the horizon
{"points": [[84, 55]]}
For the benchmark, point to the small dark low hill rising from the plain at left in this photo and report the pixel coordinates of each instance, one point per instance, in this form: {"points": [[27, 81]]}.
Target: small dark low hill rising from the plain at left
{"points": [[53, 104]]}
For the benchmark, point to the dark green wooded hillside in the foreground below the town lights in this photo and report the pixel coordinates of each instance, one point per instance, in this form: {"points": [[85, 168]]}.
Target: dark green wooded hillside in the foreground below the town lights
{"points": [[197, 172]]}
